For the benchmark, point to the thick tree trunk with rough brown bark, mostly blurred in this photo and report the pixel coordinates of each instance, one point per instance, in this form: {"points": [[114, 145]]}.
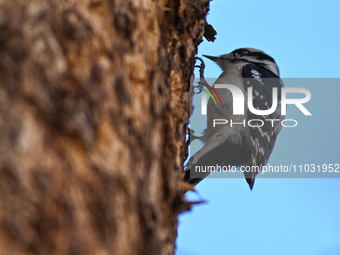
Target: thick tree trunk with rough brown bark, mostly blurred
{"points": [[94, 103]]}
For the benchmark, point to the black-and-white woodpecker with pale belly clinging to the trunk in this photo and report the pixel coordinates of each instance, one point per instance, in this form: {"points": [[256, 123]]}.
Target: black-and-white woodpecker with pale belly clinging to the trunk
{"points": [[239, 145]]}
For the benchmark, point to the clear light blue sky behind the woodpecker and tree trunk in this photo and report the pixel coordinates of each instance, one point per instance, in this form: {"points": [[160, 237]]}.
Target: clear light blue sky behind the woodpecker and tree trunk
{"points": [[280, 216]]}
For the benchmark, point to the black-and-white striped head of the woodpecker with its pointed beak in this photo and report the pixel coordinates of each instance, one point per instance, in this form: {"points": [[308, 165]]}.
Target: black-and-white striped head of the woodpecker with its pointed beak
{"points": [[246, 55]]}
